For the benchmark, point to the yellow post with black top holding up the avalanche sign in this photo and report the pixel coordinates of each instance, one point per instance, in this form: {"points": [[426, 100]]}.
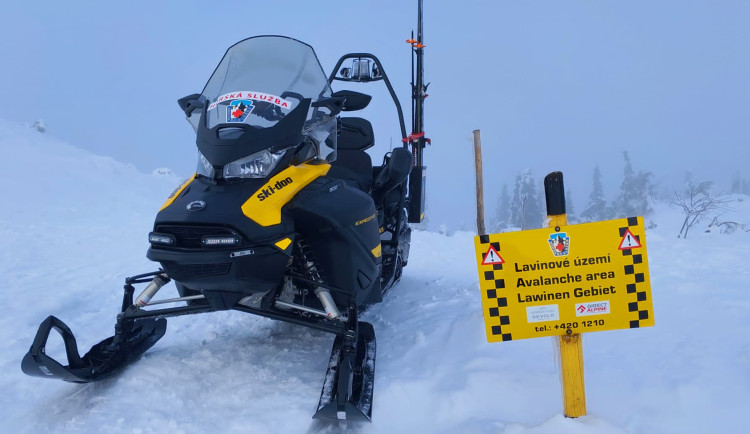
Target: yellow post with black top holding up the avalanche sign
{"points": [[571, 345]]}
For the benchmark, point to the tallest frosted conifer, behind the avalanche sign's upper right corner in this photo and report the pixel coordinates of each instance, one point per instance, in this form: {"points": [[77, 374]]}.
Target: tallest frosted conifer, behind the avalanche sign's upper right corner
{"points": [[634, 193]]}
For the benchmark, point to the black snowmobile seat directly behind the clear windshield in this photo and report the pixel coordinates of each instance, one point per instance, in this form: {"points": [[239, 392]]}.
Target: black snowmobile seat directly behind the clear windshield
{"points": [[353, 164]]}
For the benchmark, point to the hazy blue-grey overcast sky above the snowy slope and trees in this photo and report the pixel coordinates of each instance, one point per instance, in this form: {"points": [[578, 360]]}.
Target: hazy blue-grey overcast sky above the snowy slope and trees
{"points": [[552, 85]]}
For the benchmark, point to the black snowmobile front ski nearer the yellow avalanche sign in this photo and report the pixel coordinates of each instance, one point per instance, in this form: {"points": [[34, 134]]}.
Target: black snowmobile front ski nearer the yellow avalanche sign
{"points": [[350, 378]]}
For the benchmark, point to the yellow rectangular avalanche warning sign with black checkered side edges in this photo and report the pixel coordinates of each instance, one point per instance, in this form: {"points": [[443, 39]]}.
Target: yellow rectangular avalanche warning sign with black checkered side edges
{"points": [[572, 279]]}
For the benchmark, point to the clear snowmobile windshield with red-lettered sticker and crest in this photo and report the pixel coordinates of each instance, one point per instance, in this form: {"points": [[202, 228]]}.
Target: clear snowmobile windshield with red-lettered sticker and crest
{"points": [[259, 81]]}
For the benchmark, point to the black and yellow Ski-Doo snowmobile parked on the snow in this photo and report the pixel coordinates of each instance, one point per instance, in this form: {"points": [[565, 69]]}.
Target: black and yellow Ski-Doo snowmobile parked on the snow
{"points": [[286, 217]]}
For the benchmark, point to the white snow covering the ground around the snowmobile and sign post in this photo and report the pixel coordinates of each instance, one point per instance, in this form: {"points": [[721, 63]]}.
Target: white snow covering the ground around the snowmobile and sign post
{"points": [[73, 225]]}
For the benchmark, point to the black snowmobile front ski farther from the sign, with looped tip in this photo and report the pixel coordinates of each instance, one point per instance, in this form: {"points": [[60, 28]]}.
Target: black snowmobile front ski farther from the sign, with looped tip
{"points": [[132, 338]]}
